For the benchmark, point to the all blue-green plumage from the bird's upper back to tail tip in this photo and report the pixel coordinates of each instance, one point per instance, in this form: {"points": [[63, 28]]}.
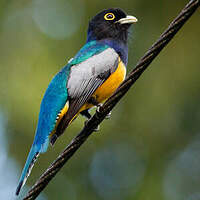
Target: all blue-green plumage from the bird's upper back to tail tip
{"points": [[53, 102]]}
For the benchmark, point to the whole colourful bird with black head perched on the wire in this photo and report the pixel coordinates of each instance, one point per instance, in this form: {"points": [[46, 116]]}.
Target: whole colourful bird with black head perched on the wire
{"points": [[87, 80]]}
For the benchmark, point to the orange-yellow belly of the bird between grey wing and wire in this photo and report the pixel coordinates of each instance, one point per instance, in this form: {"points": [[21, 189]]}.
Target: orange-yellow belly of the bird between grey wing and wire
{"points": [[109, 86]]}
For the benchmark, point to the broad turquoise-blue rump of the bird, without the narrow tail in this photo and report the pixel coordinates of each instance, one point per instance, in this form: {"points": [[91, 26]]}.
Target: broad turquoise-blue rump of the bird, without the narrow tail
{"points": [[53, 102]]}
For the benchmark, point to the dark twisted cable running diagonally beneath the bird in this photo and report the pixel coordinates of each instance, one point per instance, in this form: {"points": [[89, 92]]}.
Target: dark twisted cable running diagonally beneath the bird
{"points": [[143, 63]]}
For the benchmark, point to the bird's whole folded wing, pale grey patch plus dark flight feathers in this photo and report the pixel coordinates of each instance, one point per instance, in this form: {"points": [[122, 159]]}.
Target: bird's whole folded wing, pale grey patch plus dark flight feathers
{"points": [[84, 79]]}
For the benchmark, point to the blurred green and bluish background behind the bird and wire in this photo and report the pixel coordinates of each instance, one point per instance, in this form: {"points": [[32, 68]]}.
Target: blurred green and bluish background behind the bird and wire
{"points": [[148, 150]]}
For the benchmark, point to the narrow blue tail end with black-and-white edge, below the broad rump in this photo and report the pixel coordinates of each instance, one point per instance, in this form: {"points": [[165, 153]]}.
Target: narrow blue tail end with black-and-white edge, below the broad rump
{"points": [[32, 156]]}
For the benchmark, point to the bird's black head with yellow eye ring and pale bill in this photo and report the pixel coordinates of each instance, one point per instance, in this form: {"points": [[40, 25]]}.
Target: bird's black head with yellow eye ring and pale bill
{"points": [[110, 24]]}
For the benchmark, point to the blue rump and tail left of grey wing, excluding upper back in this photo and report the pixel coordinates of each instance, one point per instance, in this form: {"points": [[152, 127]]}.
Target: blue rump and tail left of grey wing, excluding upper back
{"points": [[53, 101]]}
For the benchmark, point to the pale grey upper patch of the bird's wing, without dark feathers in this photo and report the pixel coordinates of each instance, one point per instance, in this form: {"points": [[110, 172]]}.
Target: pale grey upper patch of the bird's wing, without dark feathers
{"points": [[84, 76]]}
